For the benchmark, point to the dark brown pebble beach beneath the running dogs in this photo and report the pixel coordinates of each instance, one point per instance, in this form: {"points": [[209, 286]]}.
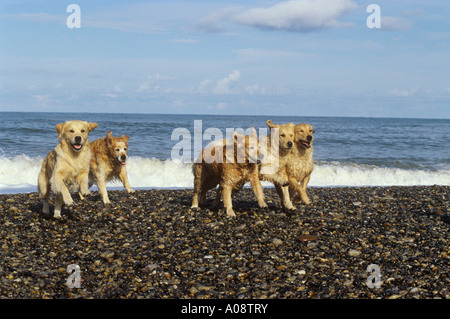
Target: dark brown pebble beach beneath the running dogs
{"points": [[150, 244]]}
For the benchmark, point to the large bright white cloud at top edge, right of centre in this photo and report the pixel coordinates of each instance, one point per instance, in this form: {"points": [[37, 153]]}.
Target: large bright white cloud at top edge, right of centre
{"points": [[298, 15]]}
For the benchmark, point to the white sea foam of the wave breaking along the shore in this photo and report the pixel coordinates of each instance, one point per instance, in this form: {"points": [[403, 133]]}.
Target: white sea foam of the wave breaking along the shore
{"points": [[19, 174]]}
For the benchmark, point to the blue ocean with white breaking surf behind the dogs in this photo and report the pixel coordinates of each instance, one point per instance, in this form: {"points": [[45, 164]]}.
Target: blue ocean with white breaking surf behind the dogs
{"points": [[347, 151]]}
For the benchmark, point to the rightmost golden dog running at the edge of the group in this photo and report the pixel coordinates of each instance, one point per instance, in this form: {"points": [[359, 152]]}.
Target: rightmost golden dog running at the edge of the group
{"points": [[301, 163]]}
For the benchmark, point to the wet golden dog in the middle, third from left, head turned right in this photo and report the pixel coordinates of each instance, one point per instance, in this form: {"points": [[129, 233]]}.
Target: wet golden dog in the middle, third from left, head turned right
{"points": [[229, 165]]}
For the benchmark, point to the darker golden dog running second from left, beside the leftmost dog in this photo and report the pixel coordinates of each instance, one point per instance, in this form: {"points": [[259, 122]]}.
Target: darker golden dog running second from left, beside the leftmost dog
{"points": [[109, 157]]}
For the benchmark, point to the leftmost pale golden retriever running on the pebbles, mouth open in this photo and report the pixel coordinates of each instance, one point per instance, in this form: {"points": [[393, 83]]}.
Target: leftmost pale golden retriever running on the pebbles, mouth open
{"points": [[66, 168]]}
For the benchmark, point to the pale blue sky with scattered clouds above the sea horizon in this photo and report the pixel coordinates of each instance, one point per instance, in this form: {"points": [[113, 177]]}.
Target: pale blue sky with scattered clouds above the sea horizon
{"points": [[299, 57]]}
